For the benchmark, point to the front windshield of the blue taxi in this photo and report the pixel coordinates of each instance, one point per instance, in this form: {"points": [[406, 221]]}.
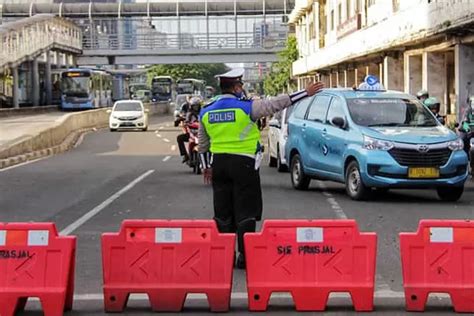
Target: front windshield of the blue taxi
{"points": [[392, 112]]}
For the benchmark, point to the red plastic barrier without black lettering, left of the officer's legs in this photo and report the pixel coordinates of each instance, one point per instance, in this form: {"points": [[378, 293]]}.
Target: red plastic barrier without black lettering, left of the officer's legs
{"points": [[167, 260]]}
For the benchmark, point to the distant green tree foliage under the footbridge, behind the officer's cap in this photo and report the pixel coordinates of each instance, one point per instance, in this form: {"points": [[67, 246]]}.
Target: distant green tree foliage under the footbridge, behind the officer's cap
{"points": [[204, 72]]}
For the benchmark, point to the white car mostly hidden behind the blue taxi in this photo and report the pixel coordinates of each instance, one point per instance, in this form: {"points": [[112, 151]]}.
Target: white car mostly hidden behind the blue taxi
{"points": [[277, 136]]}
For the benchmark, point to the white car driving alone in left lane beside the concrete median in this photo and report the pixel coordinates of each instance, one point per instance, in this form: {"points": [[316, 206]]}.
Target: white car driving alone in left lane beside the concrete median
{"points": [[128, 114]]}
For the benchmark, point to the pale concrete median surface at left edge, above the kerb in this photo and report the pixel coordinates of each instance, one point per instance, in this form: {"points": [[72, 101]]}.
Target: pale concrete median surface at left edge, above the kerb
{"points": [[16, 128]]}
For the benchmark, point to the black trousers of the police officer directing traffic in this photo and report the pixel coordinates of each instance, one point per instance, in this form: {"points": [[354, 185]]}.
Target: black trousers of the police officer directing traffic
{"points": [[237, 195]]}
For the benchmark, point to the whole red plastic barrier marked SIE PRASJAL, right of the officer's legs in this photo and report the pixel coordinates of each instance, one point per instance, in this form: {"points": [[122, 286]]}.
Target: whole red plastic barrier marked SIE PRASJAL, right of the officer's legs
{"points": [[310, 259]]}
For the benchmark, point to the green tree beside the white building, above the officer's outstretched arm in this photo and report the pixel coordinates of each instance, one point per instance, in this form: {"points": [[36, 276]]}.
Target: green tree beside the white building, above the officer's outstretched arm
{"points": [[279, 79]]}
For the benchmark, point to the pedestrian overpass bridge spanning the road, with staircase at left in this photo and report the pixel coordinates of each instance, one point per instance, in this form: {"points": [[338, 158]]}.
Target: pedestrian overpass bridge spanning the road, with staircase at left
{"points": [[38, 37]]}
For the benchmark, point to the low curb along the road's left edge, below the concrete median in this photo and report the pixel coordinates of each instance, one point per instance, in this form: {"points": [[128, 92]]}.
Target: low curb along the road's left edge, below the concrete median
{"points": [[69, 143]]}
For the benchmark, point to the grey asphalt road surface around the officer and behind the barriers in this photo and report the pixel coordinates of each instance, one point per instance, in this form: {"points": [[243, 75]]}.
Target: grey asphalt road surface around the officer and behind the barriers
{"points": [[85, 180]]}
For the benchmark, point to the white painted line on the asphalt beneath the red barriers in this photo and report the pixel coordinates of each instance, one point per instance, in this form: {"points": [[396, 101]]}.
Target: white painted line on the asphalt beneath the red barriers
{"points": [[382, 294]]}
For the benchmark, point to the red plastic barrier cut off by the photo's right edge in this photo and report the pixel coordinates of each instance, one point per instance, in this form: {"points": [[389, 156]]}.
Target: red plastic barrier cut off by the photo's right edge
{"points": [[439, 258]]}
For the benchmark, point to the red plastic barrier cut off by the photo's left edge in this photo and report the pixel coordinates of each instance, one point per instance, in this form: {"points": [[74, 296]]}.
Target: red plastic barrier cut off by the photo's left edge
{"points": [[36, 262]]}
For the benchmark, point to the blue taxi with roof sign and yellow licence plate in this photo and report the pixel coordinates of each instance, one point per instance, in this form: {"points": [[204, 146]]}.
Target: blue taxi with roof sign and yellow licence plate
{"points": [[369, 138]]}
